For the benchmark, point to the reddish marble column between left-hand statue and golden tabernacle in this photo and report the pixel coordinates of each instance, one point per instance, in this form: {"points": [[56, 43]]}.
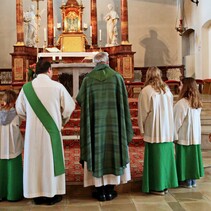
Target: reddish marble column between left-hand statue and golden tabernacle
{"points": [[50, 23]]}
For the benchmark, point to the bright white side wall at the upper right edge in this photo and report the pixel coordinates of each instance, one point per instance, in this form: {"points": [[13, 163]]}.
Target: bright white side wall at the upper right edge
{"points": [[198, 18]]}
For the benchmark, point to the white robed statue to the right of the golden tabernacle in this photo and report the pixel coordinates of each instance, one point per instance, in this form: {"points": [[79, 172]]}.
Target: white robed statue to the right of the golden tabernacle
{"points": [[112, 33]]}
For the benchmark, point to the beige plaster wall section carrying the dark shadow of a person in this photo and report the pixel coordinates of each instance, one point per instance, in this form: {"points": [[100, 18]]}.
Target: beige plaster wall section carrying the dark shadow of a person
{"points": [[158, 19]]}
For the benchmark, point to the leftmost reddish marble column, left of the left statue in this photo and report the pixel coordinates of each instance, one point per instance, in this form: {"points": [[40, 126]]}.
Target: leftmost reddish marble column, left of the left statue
{"points": [[19, 23]]}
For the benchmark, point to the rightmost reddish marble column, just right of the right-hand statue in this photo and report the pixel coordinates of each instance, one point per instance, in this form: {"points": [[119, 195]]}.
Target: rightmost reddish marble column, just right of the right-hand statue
{"points": [[124, 22]]}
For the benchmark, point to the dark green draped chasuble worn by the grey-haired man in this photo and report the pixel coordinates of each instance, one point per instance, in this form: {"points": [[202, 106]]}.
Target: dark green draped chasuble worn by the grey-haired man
{"points": [[105, 128]]}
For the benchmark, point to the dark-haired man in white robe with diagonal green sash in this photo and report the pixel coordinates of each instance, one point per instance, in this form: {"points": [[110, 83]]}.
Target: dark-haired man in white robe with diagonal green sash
{"points": [[46, 105]]}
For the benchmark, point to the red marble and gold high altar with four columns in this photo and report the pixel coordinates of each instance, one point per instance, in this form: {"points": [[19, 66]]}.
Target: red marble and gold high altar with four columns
{"points": [[72, 46]]}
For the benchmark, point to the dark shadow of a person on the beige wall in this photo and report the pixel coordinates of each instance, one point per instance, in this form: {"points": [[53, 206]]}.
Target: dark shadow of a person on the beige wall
{"points": [[156, 52]]}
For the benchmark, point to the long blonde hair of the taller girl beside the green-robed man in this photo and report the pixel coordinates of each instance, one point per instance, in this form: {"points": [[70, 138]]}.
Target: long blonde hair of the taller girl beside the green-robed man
{"points": [[153, 78]]}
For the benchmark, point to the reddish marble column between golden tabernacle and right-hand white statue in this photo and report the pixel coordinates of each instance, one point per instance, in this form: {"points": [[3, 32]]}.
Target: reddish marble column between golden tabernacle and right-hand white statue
{"points": [[94, 22]]}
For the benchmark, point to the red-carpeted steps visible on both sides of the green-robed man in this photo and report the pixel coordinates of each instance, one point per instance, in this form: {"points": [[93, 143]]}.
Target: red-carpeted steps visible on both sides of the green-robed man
{"points": [[71, 139]]}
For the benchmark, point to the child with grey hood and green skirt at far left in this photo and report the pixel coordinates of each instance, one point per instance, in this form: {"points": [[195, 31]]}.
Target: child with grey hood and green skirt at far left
{"points": [[11, 144]]}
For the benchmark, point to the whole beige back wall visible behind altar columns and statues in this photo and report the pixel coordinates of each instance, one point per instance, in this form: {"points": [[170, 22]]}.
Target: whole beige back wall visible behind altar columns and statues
{"points": [[151, 28]]}
